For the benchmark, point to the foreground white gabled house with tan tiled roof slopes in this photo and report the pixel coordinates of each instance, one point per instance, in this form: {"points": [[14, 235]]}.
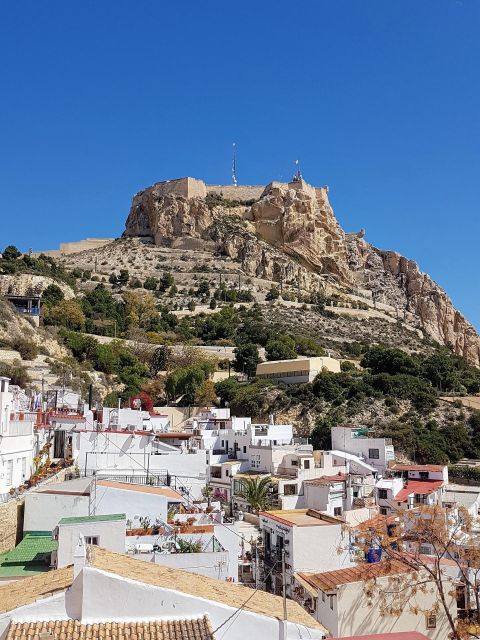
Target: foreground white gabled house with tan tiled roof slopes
{"points": [[107, 588]]}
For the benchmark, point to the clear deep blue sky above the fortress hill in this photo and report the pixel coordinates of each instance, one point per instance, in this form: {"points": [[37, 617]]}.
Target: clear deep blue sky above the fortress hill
{"points": [[378, 99]]}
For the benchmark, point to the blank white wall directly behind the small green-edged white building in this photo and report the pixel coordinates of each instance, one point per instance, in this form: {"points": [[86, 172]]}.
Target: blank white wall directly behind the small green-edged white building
{"points": [[43, 511]]}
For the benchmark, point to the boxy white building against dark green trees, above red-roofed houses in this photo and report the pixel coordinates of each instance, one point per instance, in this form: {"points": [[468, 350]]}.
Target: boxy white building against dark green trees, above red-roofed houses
{"points": [[376, 452]]}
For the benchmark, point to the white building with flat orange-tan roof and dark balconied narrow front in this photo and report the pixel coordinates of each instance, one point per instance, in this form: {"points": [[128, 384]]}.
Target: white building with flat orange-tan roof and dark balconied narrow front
{"points": [[310, 540]]}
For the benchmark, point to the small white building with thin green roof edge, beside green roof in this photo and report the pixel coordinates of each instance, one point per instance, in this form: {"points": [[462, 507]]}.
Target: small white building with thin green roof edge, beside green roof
{"points": [[107, 531]]}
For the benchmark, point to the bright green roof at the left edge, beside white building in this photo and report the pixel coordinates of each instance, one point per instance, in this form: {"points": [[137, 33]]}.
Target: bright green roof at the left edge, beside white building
{"points": [[30, 556]]}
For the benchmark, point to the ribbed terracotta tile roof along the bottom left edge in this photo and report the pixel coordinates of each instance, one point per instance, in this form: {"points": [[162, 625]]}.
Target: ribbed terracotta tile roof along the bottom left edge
{"points": [[196, 629]]}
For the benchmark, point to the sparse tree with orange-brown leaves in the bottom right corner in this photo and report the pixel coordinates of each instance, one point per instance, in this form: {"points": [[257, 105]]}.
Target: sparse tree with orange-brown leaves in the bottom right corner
{"points": [[447, 534]]}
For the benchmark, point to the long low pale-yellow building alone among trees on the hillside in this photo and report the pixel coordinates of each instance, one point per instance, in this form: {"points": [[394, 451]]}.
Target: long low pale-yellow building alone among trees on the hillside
{"points": [[297, 371]]}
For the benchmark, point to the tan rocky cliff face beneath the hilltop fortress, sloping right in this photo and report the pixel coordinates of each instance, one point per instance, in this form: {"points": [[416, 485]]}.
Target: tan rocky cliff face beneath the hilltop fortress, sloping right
{"points": [[290, 234]]}
